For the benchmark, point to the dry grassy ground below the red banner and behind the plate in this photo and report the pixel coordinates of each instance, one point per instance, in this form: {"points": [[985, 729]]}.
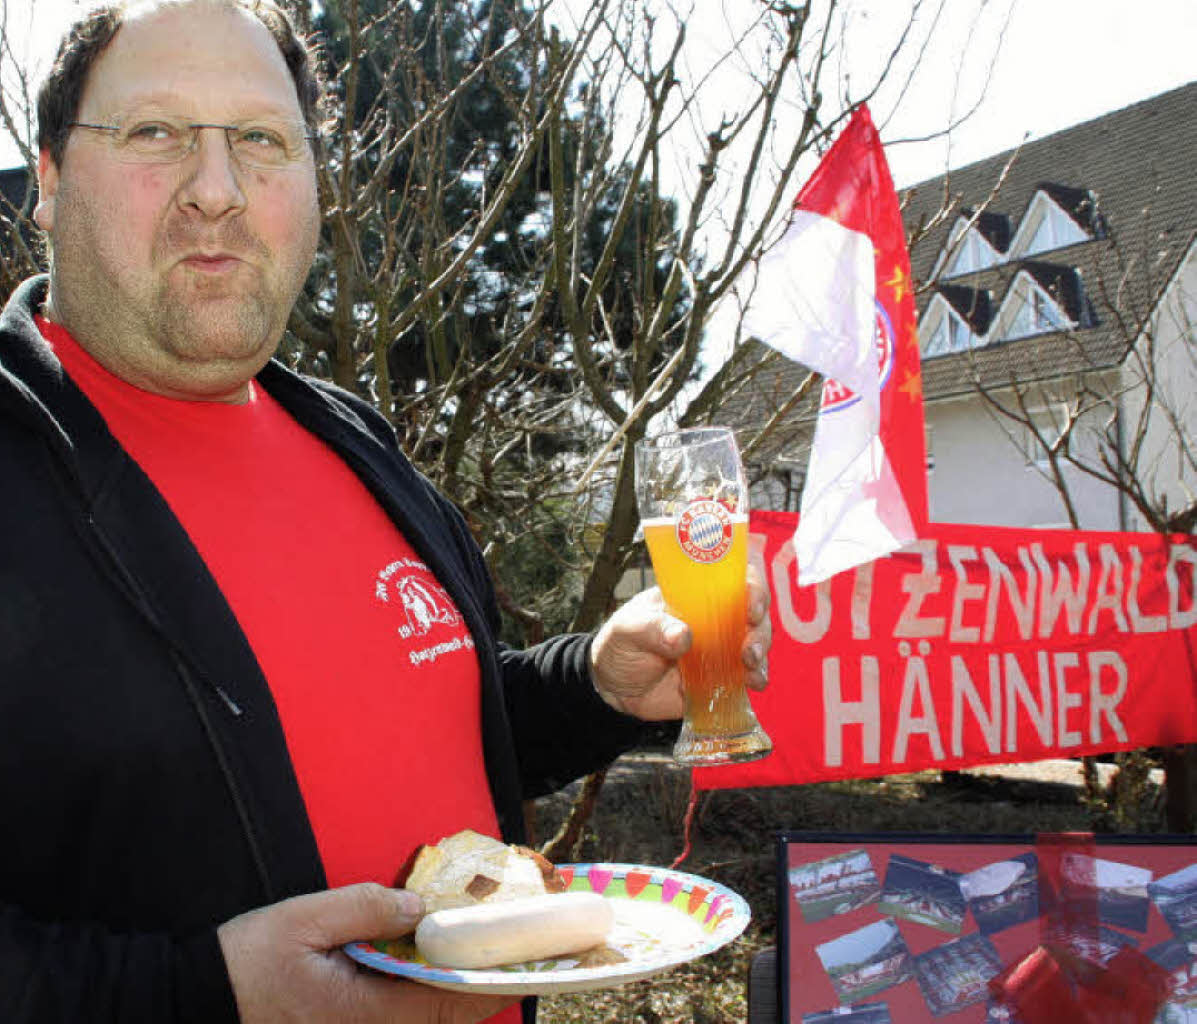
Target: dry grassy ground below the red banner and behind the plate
{"points": [[640, 821]]}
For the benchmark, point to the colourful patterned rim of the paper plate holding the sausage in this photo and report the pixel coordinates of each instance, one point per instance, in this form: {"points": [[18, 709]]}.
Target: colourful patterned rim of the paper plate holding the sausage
{"points": [[720, 914]]}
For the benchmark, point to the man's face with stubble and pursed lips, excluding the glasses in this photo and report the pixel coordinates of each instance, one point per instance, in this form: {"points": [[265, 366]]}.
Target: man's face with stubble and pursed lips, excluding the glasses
{"points": [[180, 277]]}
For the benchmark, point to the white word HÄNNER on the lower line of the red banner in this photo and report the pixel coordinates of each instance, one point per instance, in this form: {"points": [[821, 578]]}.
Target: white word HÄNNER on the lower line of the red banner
{"points": [[1067, 700]]}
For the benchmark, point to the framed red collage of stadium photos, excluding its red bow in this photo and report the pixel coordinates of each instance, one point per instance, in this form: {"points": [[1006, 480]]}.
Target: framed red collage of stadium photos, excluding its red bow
{"points": [[904, 929]]}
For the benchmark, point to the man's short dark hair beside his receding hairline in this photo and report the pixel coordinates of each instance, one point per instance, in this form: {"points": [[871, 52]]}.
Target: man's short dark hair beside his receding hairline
{"points": [[58, 101]]}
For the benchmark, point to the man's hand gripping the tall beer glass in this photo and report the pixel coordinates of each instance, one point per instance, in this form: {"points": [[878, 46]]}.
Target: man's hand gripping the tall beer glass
{"points": [[635, 657]]}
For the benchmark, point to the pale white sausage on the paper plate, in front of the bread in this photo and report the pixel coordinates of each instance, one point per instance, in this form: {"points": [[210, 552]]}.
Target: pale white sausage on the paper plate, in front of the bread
{"points": [[514, 931]]}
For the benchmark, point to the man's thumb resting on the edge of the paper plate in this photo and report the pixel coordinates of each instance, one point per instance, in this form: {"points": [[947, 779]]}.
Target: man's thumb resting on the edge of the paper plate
{"points": [[362, 912]]}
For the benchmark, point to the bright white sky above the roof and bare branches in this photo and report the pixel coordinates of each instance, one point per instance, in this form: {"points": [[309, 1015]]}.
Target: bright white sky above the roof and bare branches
{"points": [[1059, 63]]}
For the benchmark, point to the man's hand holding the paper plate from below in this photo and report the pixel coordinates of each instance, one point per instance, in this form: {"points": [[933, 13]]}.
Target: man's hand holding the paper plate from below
{"points": [[285, 962]]}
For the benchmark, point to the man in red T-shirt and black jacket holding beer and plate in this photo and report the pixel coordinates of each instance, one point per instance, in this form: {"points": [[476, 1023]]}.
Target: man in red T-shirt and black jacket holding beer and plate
{"points": [[222, 726]]}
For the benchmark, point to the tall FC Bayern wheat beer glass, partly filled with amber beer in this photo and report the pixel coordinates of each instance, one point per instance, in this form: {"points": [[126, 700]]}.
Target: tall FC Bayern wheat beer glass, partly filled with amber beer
{"points": [[694, 504]]}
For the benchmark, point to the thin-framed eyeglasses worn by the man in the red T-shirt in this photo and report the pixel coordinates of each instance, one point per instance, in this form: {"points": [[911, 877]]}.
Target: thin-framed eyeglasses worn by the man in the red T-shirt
{"points": [[266, 146]]}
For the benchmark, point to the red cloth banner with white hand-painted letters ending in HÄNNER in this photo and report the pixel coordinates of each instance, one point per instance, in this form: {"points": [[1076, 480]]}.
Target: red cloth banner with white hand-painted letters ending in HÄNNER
{"points": [[977, 645]]}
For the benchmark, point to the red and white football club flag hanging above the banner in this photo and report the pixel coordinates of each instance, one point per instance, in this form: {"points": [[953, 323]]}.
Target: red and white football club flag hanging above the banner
{"points": [[835, 295]]}
